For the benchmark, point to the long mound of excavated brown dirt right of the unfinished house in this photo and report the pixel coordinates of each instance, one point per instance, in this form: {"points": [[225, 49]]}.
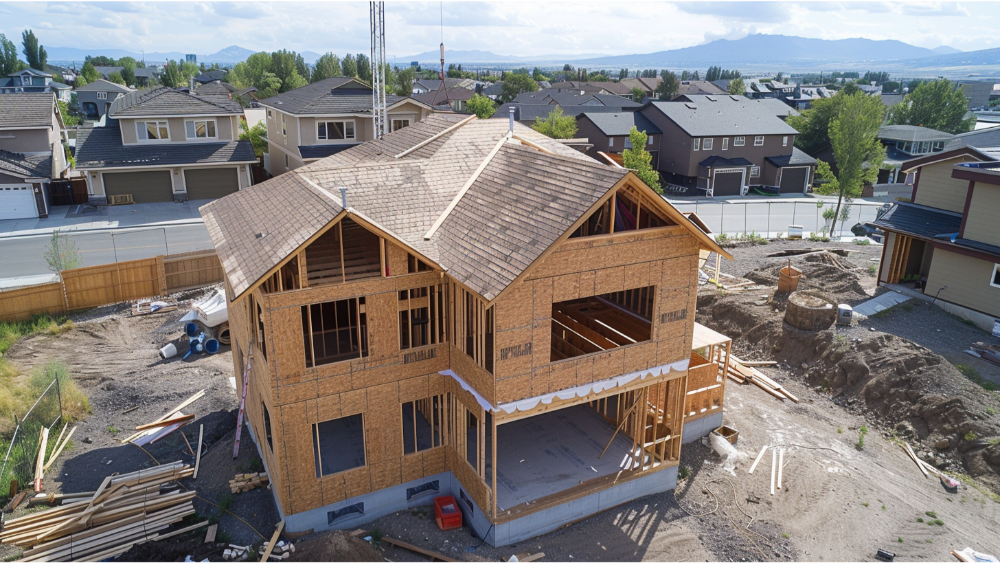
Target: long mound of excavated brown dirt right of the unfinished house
{"points": [[895, 382]]}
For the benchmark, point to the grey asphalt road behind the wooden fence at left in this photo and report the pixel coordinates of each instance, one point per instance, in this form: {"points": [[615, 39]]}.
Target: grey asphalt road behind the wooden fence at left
{"points": [[26, 256]]}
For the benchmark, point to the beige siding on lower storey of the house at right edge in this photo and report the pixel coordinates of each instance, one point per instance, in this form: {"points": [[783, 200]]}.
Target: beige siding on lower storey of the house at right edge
{"points": [[968, 281]]}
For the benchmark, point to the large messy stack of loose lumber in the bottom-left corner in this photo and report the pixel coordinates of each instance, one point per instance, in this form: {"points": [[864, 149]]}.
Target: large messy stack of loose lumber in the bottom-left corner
{"points": [[126, 510]]}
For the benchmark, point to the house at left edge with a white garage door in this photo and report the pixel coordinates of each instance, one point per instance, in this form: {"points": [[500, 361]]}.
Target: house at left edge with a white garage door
{"points": [[31, 153]]}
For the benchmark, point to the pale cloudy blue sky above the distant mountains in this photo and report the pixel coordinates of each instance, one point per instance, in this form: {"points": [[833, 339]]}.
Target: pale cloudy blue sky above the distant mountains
{"points": [[506, 27]]}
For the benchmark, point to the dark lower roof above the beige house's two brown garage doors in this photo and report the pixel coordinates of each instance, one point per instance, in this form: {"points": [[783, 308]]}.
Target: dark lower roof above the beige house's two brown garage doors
{"points": [[101, 147]]}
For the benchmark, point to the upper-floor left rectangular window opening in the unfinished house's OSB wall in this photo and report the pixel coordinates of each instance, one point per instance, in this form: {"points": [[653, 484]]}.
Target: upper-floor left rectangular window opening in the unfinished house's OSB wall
{"points": [[335, 331]]}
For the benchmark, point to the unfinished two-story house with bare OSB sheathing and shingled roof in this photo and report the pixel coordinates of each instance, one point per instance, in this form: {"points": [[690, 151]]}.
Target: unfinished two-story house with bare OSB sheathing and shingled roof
{"points": [[466, 307]]}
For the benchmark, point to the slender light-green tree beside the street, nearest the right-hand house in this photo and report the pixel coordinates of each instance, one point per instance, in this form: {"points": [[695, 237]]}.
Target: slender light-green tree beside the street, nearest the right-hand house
{"points": [[856, 148]]}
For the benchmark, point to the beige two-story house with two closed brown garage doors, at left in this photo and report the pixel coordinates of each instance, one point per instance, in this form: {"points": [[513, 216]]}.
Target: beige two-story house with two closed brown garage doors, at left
{"points": [[165, 145]]}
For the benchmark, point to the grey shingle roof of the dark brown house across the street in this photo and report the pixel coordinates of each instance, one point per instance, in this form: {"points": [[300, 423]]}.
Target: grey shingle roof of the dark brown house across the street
{"points": [[708, 116]]}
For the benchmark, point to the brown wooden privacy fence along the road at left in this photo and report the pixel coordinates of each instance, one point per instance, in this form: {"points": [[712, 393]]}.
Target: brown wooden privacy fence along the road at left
{"points": [[94, 286]]}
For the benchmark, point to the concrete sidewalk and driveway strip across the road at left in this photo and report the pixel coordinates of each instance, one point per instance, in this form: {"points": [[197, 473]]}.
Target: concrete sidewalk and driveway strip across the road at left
{"points": [[70, 218]]}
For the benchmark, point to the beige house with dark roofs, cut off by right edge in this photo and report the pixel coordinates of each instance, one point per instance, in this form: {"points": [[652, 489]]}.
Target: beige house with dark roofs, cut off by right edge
{"points": [[946, 240]]}
